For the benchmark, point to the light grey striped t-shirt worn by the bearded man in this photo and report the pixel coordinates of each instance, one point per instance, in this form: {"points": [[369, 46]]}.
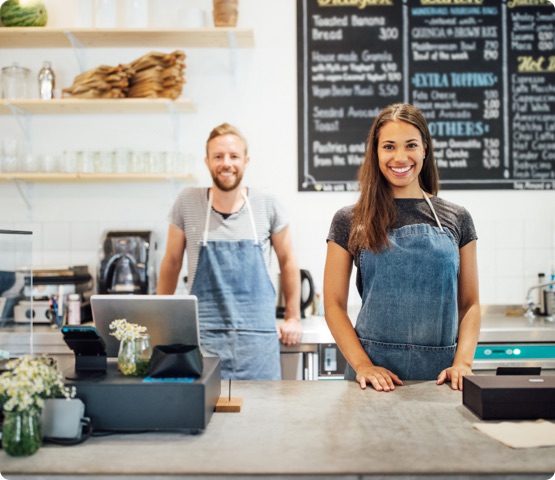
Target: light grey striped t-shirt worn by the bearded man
{"points": [[189, 214]]}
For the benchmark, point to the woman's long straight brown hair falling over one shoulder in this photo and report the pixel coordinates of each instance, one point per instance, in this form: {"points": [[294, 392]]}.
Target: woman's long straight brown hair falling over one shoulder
{"points": [[375, 211]]}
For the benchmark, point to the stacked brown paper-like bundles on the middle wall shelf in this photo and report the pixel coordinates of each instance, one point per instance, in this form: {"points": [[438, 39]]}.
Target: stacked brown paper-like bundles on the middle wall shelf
{"points": [[154, 75]]}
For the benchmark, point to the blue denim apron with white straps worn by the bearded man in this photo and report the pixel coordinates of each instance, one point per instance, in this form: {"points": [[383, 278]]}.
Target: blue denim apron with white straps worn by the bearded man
{"points": [[237, 306]]}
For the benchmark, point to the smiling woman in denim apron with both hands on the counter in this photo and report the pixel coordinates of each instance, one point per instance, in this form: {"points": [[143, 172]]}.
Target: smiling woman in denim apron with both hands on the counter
{"points": [[416, 265]]}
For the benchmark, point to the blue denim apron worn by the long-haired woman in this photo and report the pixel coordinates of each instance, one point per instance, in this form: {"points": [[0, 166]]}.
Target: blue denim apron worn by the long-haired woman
{"points": [[408, 321]]}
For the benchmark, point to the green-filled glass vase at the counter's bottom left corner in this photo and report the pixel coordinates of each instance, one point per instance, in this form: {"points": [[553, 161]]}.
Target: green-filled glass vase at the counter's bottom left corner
{"points": [[21, 434]]}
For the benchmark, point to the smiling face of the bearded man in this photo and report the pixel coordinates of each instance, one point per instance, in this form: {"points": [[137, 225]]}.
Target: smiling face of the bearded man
{"points": [[226, 161]]}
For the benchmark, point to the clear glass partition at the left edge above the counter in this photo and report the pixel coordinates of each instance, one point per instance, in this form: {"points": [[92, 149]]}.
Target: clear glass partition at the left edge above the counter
{"points": [[16, 299]]}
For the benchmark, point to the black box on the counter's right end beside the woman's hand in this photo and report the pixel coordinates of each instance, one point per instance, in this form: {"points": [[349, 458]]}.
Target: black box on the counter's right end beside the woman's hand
{"points": [[510, 397]]}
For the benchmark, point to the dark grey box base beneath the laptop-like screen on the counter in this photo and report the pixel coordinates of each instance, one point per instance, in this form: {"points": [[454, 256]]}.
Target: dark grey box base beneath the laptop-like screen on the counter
{"points": [[116, 402]]}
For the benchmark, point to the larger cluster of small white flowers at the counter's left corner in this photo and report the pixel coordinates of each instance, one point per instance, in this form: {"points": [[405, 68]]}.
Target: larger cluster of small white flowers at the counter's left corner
{"points": [[28, 381]]}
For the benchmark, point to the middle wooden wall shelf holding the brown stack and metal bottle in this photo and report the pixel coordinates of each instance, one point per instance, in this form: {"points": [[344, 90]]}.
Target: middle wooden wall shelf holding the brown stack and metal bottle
{"points": [[97, 105]]}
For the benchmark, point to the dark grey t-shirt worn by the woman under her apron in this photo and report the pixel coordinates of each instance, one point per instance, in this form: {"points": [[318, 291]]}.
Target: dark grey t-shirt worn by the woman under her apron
{"points": [[410, 211]]}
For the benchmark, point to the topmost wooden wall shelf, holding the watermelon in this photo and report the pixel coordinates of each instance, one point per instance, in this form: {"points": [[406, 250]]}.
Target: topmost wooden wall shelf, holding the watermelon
{"points": [[45, 37]]}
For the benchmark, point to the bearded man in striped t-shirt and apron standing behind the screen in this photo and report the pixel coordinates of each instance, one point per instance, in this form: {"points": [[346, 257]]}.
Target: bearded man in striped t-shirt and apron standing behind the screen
{"points": [[228, 231]]}
